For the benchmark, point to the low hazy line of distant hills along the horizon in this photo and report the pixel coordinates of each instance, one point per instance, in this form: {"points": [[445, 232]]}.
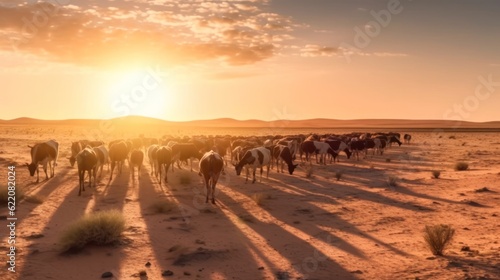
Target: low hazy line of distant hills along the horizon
{"points": [[228, 122]]}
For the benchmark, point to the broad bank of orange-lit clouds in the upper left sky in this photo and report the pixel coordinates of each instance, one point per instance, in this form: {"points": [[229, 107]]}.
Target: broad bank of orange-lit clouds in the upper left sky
{"points": [[138, 32]]}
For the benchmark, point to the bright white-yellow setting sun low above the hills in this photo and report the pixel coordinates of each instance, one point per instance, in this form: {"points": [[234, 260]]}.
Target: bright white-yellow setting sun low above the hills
{"points": [[141, 92]]}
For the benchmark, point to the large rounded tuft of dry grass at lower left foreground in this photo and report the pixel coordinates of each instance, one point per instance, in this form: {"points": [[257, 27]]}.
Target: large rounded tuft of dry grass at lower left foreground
{"points": [[100, 228]]}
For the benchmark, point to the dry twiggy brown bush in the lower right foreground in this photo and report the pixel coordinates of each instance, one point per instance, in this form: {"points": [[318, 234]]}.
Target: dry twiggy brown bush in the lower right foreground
{"points": [[438, 237]]}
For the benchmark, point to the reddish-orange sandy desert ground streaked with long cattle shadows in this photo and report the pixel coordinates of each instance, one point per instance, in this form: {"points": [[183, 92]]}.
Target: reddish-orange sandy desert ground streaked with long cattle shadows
{"points": [[302, 228]]}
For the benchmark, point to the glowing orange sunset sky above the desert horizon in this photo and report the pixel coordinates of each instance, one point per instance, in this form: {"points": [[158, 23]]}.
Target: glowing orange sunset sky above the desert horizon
{"points": [[183, 60]]}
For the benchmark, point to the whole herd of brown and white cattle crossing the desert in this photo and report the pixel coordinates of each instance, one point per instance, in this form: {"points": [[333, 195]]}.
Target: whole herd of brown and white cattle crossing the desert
{"points": [[211, 152]]}
